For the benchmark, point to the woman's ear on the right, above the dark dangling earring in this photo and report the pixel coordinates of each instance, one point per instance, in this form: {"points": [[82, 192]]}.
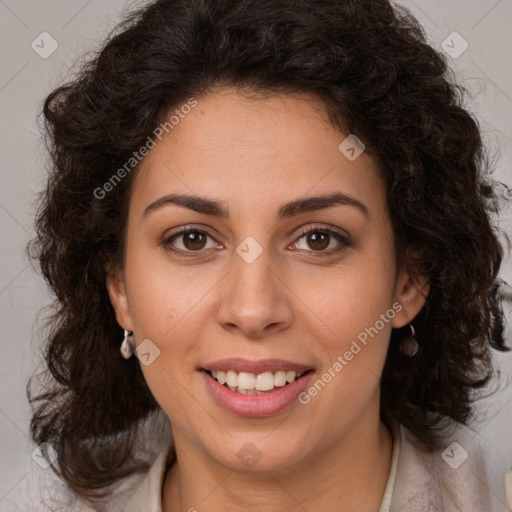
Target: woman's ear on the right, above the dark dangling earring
{"points": [[411, 292]]}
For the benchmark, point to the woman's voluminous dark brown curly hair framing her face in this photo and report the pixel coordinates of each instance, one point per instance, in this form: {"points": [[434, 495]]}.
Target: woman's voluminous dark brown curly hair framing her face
{"points": [[370, 64]]}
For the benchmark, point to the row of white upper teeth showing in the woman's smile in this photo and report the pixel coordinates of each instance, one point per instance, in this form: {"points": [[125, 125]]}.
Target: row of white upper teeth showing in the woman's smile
{"points": [[251, 384]]}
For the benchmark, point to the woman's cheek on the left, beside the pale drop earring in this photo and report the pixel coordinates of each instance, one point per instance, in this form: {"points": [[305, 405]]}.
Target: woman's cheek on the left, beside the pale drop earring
{"points": [[167, 305]]}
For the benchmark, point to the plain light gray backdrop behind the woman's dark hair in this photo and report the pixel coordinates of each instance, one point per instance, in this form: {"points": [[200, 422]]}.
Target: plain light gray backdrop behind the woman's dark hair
{"points": [[25, 78]]}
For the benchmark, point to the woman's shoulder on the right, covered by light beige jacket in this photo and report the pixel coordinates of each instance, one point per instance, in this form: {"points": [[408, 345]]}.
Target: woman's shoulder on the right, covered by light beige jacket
{"points": [[463, 474]]}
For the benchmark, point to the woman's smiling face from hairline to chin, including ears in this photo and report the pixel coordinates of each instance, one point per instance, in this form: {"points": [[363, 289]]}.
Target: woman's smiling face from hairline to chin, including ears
{"points": [[254, 246]]}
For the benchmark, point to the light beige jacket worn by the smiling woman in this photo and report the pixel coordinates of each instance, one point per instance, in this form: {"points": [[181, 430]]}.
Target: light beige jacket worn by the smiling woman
{"points": [[464, 477]]}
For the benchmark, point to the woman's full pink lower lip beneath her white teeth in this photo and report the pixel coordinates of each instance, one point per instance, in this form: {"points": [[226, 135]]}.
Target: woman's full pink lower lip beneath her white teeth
{"points": [[255, 406]]}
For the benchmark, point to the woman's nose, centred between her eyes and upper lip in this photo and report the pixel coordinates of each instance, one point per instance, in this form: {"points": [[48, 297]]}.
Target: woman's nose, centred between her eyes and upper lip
{"points": [[255, 299]]}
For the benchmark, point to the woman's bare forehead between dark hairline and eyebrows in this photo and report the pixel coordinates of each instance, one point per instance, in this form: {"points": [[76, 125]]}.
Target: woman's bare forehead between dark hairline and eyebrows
{"points": [[256, 149]]}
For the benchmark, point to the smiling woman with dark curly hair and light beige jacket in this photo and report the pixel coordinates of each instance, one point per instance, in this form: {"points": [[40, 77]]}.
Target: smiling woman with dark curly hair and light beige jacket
{"points": [[285, 211]]}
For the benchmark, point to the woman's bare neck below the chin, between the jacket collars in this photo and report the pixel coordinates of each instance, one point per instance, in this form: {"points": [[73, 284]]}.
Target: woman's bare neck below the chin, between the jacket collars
{"points": [[351, 475]]}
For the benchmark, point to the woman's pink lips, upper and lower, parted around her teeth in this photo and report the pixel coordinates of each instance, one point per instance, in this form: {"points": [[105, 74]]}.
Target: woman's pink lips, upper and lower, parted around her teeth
{"points": [[253, 406]]}
